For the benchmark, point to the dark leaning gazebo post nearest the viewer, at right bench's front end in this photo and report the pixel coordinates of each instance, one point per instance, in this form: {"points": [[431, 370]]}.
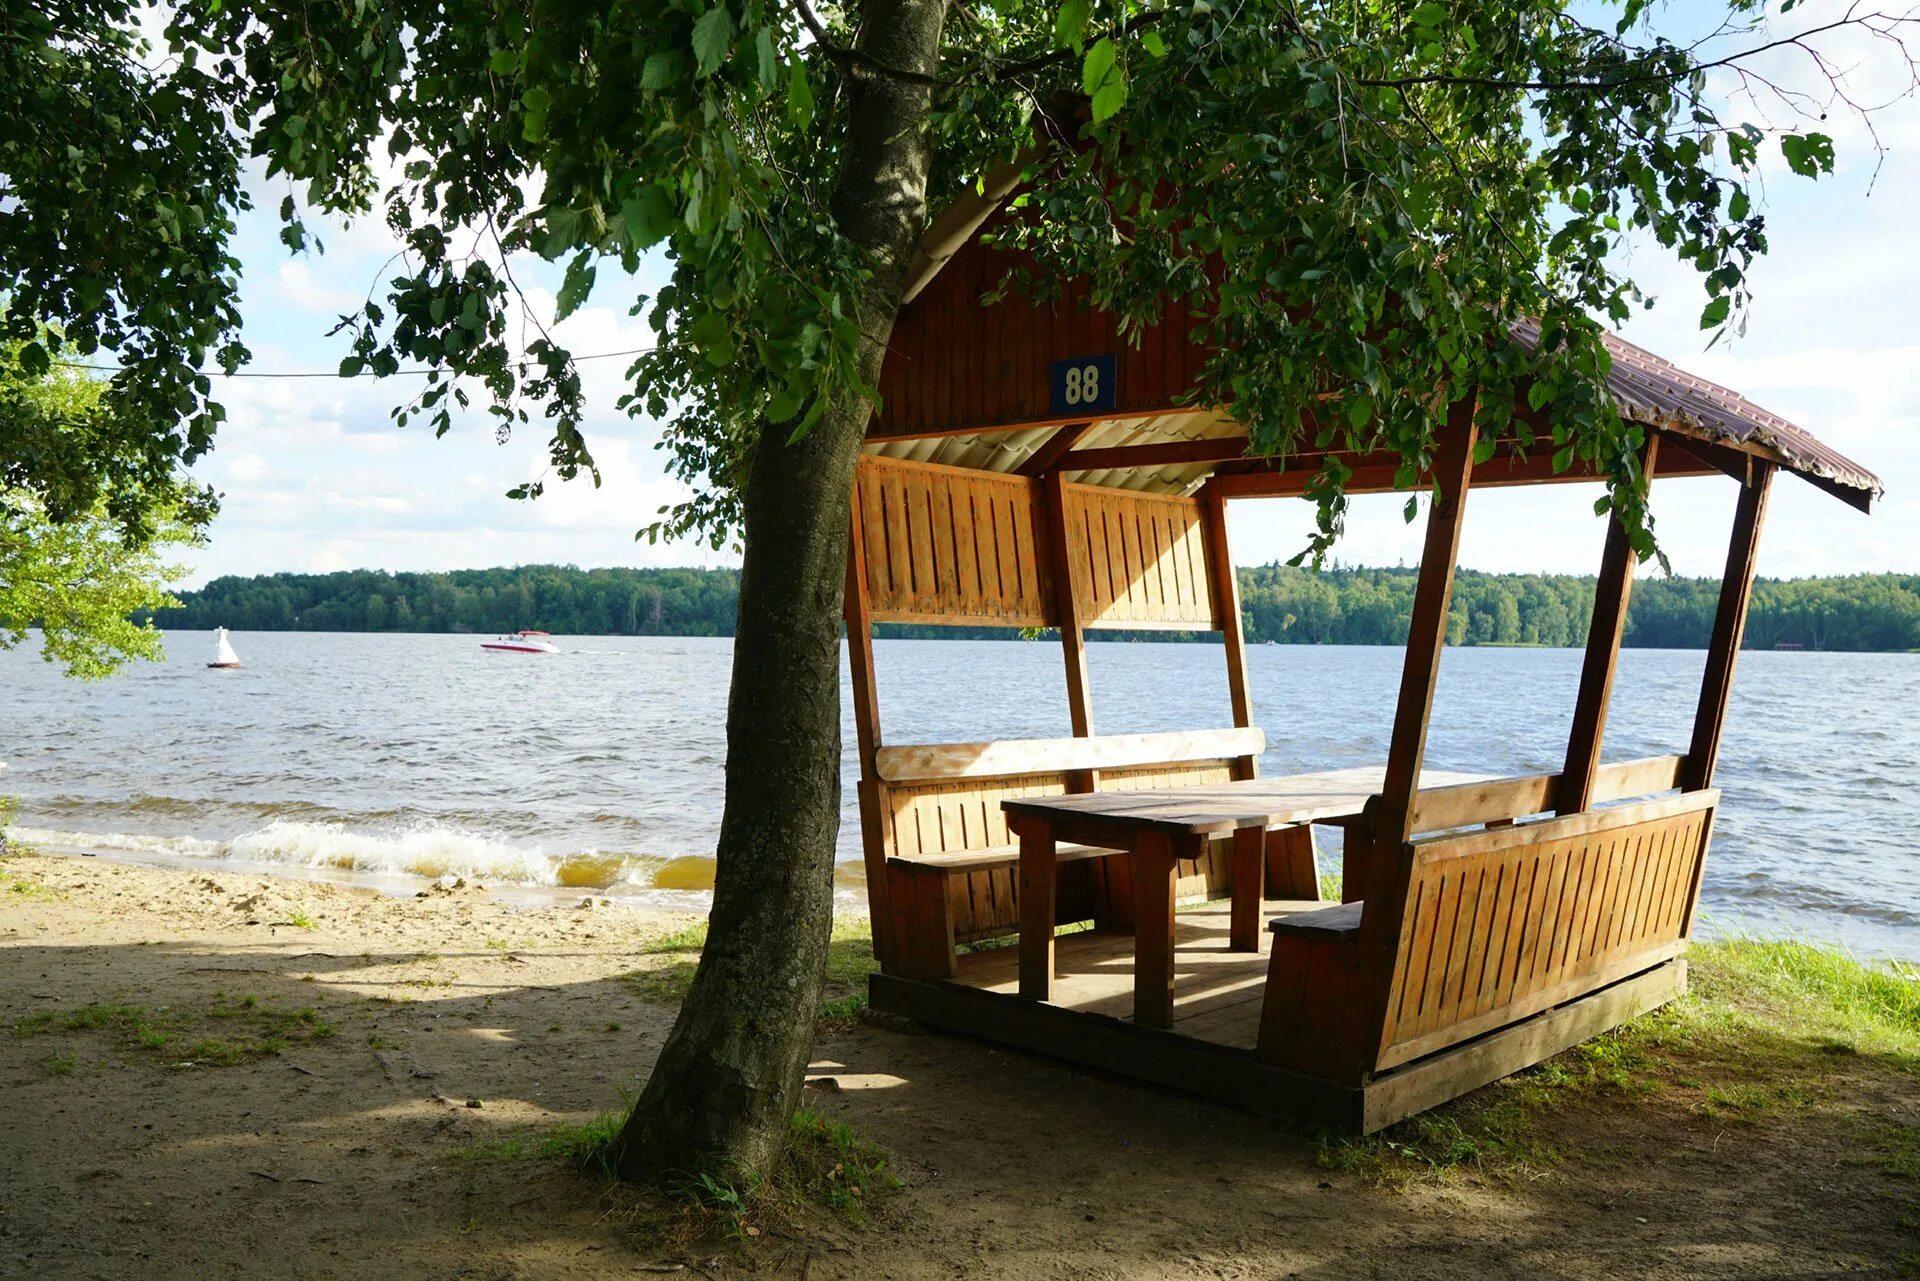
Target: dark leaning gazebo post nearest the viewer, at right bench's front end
{"points": [[1387, 873]]}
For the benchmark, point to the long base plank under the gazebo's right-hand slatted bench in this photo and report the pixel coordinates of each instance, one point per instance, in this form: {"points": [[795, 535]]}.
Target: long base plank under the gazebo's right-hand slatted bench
{"points": [[1431, 1082]]}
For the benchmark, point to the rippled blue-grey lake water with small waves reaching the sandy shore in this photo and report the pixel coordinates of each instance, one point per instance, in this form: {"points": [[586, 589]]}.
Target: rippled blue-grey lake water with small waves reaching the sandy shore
{"points": [[387, 760]]}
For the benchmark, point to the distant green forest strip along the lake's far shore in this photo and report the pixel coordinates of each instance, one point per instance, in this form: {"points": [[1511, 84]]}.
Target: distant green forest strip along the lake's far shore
{"points": [[1339, 606]]}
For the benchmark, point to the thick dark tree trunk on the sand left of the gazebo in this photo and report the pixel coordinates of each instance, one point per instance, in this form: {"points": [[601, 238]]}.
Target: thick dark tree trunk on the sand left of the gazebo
{"points": [[729, 1078]]}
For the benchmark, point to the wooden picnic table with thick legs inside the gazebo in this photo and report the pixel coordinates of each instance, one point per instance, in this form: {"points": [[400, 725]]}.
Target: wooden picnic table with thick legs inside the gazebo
{"points": [[1159, 829]]}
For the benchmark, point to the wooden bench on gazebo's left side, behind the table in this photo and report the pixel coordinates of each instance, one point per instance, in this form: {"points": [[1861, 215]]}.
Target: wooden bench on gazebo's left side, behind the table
{"points": [[951, 861]]}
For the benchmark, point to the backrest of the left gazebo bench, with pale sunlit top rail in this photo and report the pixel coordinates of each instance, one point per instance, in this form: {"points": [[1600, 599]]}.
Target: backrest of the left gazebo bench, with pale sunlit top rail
{"points": [[946, 798]]}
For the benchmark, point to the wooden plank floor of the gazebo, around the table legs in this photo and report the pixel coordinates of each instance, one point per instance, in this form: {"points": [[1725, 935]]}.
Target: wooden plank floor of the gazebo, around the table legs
{"points": [[1216, 992]]}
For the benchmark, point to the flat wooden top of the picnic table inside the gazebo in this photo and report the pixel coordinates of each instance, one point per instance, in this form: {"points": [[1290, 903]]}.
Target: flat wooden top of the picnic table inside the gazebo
{"points": [[1222, 808]]}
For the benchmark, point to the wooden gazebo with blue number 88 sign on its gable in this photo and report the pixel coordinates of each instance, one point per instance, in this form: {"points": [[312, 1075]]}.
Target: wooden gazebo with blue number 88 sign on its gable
{"points": [[1032, 470]]}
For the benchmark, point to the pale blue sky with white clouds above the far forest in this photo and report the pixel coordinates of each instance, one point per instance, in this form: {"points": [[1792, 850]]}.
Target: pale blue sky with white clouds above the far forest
{"points": [[316, 477]]}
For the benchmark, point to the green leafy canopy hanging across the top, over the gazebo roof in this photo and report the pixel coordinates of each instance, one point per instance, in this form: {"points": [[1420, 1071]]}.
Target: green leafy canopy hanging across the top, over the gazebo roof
{"points": [[1358, 199]]}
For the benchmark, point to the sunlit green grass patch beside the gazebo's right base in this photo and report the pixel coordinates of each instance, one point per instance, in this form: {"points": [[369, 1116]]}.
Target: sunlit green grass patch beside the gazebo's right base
{"points": [[1767, 1028]]}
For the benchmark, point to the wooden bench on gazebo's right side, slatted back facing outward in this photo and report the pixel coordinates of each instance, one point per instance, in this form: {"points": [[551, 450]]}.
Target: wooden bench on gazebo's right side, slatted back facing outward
{"points": [[1520, 938]]}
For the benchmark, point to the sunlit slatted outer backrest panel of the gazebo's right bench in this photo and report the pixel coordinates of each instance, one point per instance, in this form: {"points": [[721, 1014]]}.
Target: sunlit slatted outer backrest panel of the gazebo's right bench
{"points": [[1512, 921]]}
